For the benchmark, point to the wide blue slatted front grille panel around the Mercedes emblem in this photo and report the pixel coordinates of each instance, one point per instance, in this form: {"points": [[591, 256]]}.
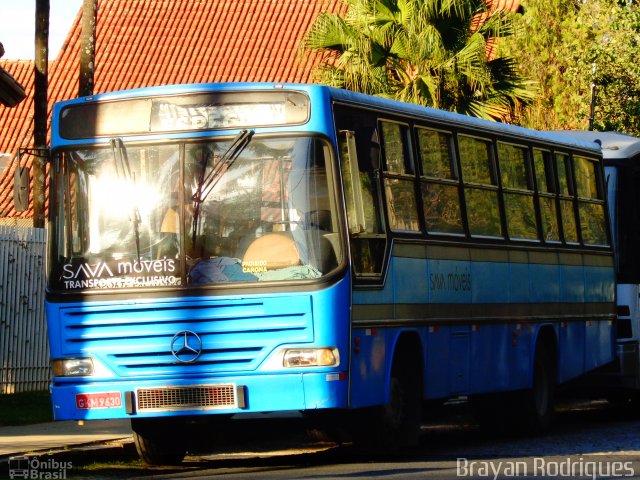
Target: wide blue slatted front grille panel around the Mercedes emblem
{"points": [[136, 340]]}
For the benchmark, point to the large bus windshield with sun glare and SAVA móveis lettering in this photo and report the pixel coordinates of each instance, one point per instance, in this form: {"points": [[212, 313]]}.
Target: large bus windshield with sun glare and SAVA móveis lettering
{"points": [[243, 209]]}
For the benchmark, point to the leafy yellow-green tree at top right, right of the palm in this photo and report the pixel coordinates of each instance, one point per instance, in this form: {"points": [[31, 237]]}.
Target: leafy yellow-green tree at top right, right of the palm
{"points": [[567, 46]]}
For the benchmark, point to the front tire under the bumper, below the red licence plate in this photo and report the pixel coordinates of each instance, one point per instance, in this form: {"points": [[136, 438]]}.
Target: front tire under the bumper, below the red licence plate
{"points": [[158, 442]]}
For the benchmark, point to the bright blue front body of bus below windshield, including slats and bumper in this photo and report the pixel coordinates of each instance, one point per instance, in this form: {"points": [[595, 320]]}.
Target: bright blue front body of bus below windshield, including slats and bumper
{"points": [[241, 335]]}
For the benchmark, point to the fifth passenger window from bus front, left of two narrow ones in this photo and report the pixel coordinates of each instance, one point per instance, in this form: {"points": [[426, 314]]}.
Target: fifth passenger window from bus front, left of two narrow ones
{"points": [[546, 195]]}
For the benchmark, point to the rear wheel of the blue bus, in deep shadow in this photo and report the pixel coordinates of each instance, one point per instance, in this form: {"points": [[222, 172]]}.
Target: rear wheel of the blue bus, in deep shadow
{"points": [[536, 409]]}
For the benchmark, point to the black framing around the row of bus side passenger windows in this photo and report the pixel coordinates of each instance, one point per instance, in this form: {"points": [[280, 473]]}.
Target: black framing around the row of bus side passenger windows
{"points": [[548, 193]]}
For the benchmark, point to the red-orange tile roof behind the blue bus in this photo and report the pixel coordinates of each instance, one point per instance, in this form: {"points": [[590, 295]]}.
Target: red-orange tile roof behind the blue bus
{"points": [[158, 42]]}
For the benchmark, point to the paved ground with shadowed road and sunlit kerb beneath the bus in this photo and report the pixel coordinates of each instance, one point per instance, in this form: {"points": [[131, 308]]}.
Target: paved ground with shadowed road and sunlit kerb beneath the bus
{"points": [[585, 433]]}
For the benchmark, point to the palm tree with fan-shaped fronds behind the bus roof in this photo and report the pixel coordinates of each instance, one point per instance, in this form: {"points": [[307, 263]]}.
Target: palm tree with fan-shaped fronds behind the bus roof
{"points": [[429, 52]]}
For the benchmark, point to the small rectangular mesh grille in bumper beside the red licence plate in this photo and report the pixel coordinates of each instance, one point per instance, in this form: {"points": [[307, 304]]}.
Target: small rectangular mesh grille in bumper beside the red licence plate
{"points": [[189, 398]]}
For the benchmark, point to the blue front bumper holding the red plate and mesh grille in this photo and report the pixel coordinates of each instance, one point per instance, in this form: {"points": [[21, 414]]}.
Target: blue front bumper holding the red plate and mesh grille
{"points": [[238, 394]]}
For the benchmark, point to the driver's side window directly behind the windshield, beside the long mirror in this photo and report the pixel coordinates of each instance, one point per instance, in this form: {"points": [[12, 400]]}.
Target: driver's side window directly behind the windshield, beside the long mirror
{"points": [[366, 236]]}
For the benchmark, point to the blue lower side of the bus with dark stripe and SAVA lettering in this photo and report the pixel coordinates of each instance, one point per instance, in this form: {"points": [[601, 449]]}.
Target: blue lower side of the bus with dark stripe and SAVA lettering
{"points": [[476, 348]]}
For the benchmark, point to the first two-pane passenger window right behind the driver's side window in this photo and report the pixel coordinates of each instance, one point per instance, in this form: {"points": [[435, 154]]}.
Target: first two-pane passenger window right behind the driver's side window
{"points": [[399, 179]]}
